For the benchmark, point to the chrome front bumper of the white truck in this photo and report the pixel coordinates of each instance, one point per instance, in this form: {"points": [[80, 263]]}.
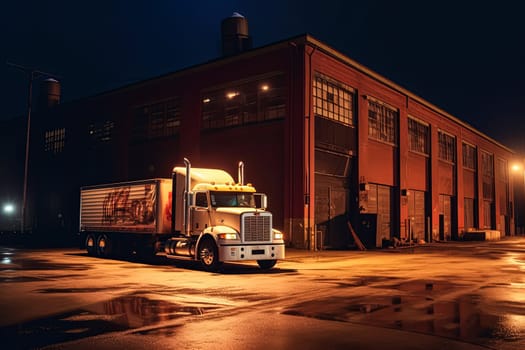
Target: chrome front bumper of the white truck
{"points": [[242, 252]]}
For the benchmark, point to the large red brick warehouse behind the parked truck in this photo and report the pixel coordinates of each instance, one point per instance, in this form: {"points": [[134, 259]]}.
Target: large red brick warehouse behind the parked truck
{"points": [[327, 139]]}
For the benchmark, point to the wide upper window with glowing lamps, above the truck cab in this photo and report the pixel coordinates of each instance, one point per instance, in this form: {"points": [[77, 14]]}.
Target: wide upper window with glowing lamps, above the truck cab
{"points": [[254, 100]]}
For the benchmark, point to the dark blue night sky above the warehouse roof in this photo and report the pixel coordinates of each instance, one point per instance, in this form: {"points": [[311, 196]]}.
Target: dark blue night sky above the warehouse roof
{"points": [[468, 59]]}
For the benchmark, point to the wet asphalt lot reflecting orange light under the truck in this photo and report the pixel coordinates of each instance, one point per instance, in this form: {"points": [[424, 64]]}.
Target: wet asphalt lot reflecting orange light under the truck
{"points": [[457, 295]]}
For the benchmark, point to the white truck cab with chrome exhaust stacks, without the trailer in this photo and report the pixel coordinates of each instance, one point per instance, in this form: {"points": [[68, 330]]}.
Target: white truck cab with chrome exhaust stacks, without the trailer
{"points": [[221, 220]]}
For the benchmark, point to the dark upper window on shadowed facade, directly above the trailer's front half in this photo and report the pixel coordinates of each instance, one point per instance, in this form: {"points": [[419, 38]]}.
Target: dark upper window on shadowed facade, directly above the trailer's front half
{"points": [[157, 120]]}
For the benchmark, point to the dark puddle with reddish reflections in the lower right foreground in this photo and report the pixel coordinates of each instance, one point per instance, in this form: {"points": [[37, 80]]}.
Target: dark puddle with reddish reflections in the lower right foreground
{"points": [[415, 308]]}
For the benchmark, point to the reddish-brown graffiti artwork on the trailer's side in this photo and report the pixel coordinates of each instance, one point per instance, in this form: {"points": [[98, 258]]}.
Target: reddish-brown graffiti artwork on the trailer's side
{"points": [[118, 209]]}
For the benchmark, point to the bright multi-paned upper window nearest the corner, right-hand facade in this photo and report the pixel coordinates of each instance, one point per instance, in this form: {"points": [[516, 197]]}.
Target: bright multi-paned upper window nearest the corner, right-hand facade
{"points": [[333, 100]]}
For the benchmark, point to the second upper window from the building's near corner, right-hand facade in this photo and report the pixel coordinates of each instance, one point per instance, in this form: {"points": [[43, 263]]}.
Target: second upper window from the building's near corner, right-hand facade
{"points": [[382, 122]]}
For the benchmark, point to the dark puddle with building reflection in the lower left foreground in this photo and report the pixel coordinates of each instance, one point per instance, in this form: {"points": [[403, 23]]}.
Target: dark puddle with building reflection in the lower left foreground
{"points": [[119, 314]]}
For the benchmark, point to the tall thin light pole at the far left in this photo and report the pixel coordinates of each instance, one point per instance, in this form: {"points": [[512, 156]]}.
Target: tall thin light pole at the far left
{"points": [[32, 74]]}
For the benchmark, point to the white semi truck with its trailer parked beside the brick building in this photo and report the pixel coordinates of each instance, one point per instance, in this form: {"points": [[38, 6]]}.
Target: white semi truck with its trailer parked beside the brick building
{"points": [[198, 214]]}
